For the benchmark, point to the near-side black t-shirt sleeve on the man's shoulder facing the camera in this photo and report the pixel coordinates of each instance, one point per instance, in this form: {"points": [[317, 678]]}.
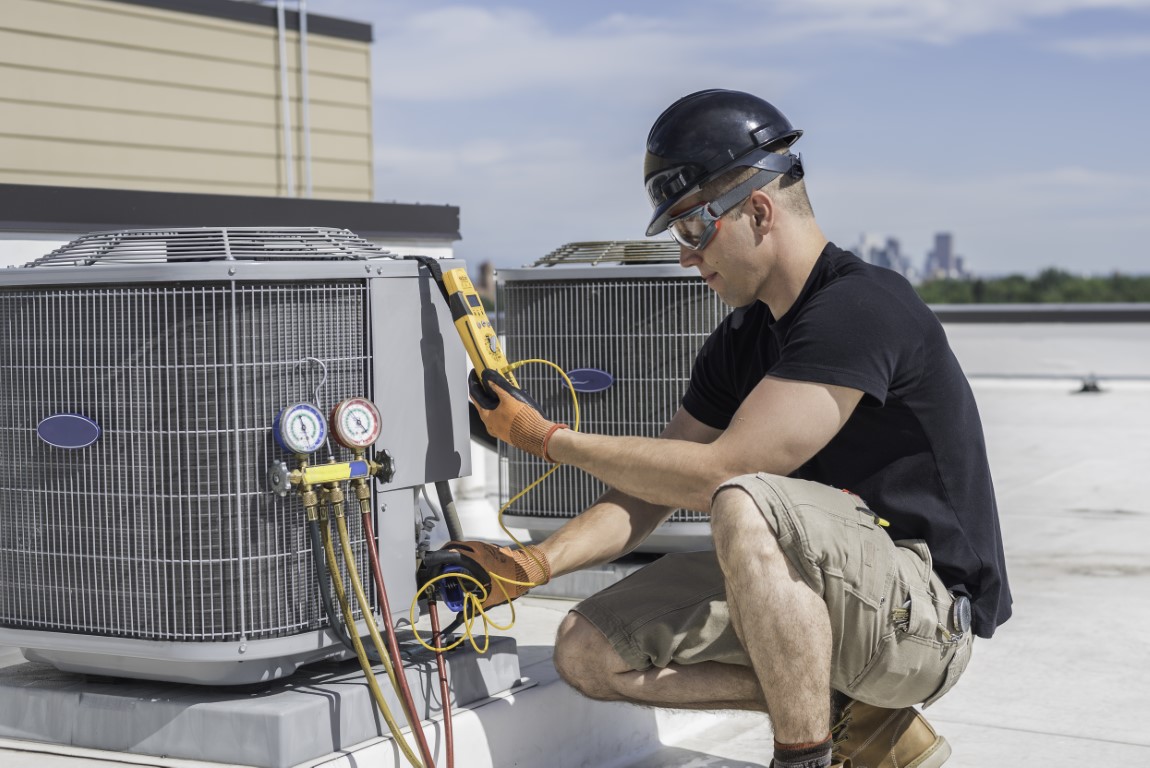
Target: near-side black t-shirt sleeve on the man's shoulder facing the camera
{"points": [[848, 339]]}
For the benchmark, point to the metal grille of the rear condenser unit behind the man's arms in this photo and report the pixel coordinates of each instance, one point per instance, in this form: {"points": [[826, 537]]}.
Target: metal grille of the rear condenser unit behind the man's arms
{"points": [[643, 332]]}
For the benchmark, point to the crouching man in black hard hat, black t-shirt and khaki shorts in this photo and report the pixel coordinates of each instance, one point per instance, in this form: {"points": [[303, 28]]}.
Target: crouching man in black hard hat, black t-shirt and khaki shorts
{"points": [[832, 435]]}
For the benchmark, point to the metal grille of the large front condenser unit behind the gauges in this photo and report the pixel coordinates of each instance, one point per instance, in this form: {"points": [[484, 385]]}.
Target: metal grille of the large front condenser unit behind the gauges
{"points": [[165, 529]]}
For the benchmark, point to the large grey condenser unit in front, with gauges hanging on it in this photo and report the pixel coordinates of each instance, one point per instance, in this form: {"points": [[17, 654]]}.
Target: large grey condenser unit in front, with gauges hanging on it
{"points": [[141, 373]]}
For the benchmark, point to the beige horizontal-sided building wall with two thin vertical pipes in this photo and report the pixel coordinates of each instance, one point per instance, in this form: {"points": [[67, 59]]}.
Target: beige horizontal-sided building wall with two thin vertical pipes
{"points": [[102, 94]]}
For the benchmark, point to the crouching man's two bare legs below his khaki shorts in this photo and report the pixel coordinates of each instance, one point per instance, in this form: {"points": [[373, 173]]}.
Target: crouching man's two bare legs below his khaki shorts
{"points": [[781, 623]]}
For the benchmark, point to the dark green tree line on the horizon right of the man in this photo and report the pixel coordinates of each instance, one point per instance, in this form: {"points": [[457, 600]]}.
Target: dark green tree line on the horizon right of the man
{"points": [[1049, 287]]}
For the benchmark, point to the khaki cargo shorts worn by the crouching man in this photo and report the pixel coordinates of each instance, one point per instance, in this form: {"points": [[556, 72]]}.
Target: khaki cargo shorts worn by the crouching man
{"points": [[894, 641]]}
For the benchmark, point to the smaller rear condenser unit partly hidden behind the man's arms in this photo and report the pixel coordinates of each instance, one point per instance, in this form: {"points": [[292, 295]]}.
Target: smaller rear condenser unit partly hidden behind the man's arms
{"points": [[625, 321]]}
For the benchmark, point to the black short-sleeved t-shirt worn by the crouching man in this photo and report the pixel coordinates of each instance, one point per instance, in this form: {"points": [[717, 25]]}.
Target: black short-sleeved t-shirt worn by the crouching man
{"points": [[914, 449]]}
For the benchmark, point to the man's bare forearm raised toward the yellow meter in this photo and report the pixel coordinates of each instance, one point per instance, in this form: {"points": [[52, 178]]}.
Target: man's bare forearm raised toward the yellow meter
{"points": [[662, 472]]}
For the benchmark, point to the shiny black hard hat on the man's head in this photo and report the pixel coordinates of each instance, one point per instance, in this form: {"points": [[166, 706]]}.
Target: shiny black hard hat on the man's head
{"points": [[707, 134]]}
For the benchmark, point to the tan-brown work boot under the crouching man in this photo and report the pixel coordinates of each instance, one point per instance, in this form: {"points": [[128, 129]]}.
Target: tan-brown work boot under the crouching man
{"points": [[873, 738]]}
